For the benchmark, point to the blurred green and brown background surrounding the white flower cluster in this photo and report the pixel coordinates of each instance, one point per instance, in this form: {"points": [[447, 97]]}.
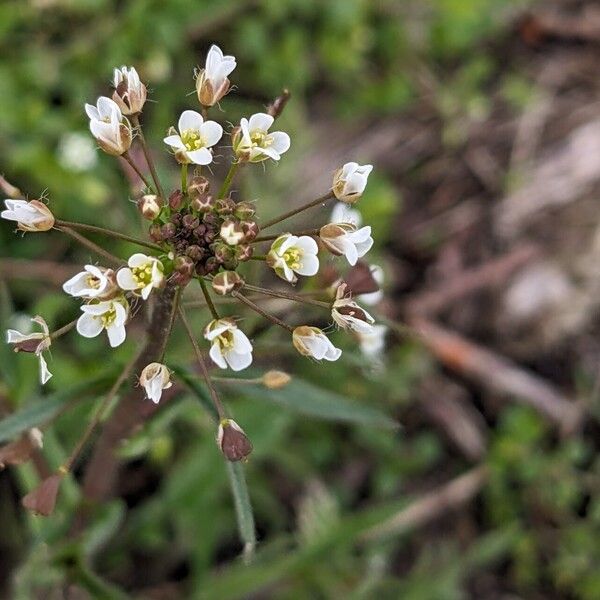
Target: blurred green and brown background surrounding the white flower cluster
{"points": [[482, 121]]}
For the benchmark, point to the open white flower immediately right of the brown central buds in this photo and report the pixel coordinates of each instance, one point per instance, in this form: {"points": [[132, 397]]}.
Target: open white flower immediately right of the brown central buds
{"points": [[290, 254]]}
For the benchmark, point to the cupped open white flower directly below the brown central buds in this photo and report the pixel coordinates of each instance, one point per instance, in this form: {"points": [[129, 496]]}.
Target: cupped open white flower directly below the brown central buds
{"points": [[230, 346]]}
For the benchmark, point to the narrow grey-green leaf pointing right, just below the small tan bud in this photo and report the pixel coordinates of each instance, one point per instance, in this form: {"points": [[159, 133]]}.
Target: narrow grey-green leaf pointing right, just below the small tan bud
{"points": [[308, 399]]}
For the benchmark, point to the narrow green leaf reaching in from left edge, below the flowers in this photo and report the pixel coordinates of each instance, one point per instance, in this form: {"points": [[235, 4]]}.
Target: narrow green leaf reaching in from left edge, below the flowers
{"points": [[41, 411]]}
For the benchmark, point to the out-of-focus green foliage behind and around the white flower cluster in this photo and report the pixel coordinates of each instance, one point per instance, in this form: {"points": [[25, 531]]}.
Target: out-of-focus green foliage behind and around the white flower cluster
{"points": [[326, 466]]}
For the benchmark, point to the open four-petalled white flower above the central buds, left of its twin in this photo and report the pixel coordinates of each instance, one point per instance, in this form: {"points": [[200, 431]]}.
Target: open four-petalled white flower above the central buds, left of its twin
{"points": [[195, 137]]}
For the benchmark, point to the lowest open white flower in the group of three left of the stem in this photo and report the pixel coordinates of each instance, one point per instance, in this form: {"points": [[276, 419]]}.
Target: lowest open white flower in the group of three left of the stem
{"points": [[110, 315]]}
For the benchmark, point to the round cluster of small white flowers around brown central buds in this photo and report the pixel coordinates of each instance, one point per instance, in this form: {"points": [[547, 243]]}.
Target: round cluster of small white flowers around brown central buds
{"points": [[196, 234]]}
